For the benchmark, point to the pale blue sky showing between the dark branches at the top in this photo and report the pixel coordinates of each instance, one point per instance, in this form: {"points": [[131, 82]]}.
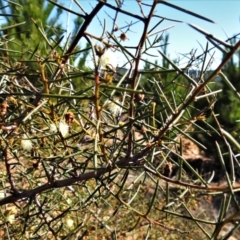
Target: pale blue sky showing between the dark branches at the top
{"points": [[182, 38]]}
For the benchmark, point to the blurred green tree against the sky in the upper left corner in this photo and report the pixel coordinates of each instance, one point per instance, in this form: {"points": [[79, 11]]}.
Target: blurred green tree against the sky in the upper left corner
{"points": [[37, 30]]}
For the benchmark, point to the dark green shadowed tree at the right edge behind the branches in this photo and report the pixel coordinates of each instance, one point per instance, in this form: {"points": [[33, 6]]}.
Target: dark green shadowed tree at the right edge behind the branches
{"points": [[226, 107]]}
